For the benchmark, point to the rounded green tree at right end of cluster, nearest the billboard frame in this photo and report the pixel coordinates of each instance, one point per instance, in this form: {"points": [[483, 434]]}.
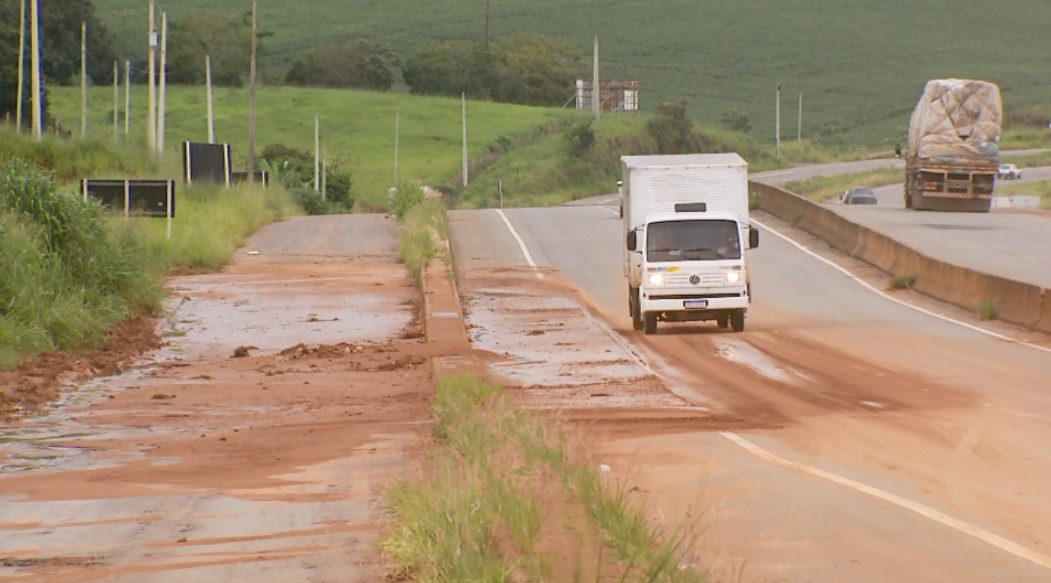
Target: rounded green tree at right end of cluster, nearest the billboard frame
{"points": [[534, 70]]}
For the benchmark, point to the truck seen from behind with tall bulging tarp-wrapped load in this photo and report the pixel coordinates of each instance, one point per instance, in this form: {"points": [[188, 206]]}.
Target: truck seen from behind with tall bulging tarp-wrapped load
{"points": [[954, 147]]}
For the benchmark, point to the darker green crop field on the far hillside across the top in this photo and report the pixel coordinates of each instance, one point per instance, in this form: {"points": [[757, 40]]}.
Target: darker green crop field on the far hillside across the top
{"points": [[860, 66]]}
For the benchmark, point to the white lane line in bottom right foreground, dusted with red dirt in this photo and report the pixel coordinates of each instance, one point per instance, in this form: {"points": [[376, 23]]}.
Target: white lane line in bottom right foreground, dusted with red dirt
{"points": [[926, 512]]}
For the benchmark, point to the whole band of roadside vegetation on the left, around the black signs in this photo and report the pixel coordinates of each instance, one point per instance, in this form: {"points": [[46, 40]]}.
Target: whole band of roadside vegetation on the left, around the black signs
{"points": [[71, 272]]}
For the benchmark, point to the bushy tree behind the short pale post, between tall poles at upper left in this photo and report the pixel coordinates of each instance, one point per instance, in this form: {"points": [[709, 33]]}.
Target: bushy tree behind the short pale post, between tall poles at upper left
{"points": [[210, 33]]}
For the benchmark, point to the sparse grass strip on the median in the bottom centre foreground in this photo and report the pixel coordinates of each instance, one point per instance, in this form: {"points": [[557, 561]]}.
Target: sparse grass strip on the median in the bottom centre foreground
{"points": [[489, 495]]}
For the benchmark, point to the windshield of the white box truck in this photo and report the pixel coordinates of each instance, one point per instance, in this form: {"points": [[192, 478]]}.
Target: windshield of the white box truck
{"points": [[677, 241]]}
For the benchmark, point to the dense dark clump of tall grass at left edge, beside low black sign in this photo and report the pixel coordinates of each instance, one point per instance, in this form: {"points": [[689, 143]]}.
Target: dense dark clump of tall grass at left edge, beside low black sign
{"points": [[66, 277]]}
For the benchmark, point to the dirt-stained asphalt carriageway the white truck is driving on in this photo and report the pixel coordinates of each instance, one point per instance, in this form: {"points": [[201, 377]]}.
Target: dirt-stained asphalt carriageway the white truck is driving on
{"points": [[893, 445]]}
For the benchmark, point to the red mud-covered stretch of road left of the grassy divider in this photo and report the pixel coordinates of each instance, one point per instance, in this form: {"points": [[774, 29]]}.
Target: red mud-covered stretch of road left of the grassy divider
{"points": [[254, 445]]}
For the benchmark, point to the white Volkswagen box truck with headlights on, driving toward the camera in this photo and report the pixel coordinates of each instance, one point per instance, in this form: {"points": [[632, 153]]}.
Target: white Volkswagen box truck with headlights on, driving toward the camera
{"points": [[687, 230]]}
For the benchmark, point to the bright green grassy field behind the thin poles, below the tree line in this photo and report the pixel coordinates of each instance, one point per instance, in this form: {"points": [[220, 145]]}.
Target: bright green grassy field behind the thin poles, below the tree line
{"points": [[358, 128]]}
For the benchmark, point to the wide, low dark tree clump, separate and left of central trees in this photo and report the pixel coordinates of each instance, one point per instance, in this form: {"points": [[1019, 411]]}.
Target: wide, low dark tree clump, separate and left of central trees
{"points": [[362, 65]]}
